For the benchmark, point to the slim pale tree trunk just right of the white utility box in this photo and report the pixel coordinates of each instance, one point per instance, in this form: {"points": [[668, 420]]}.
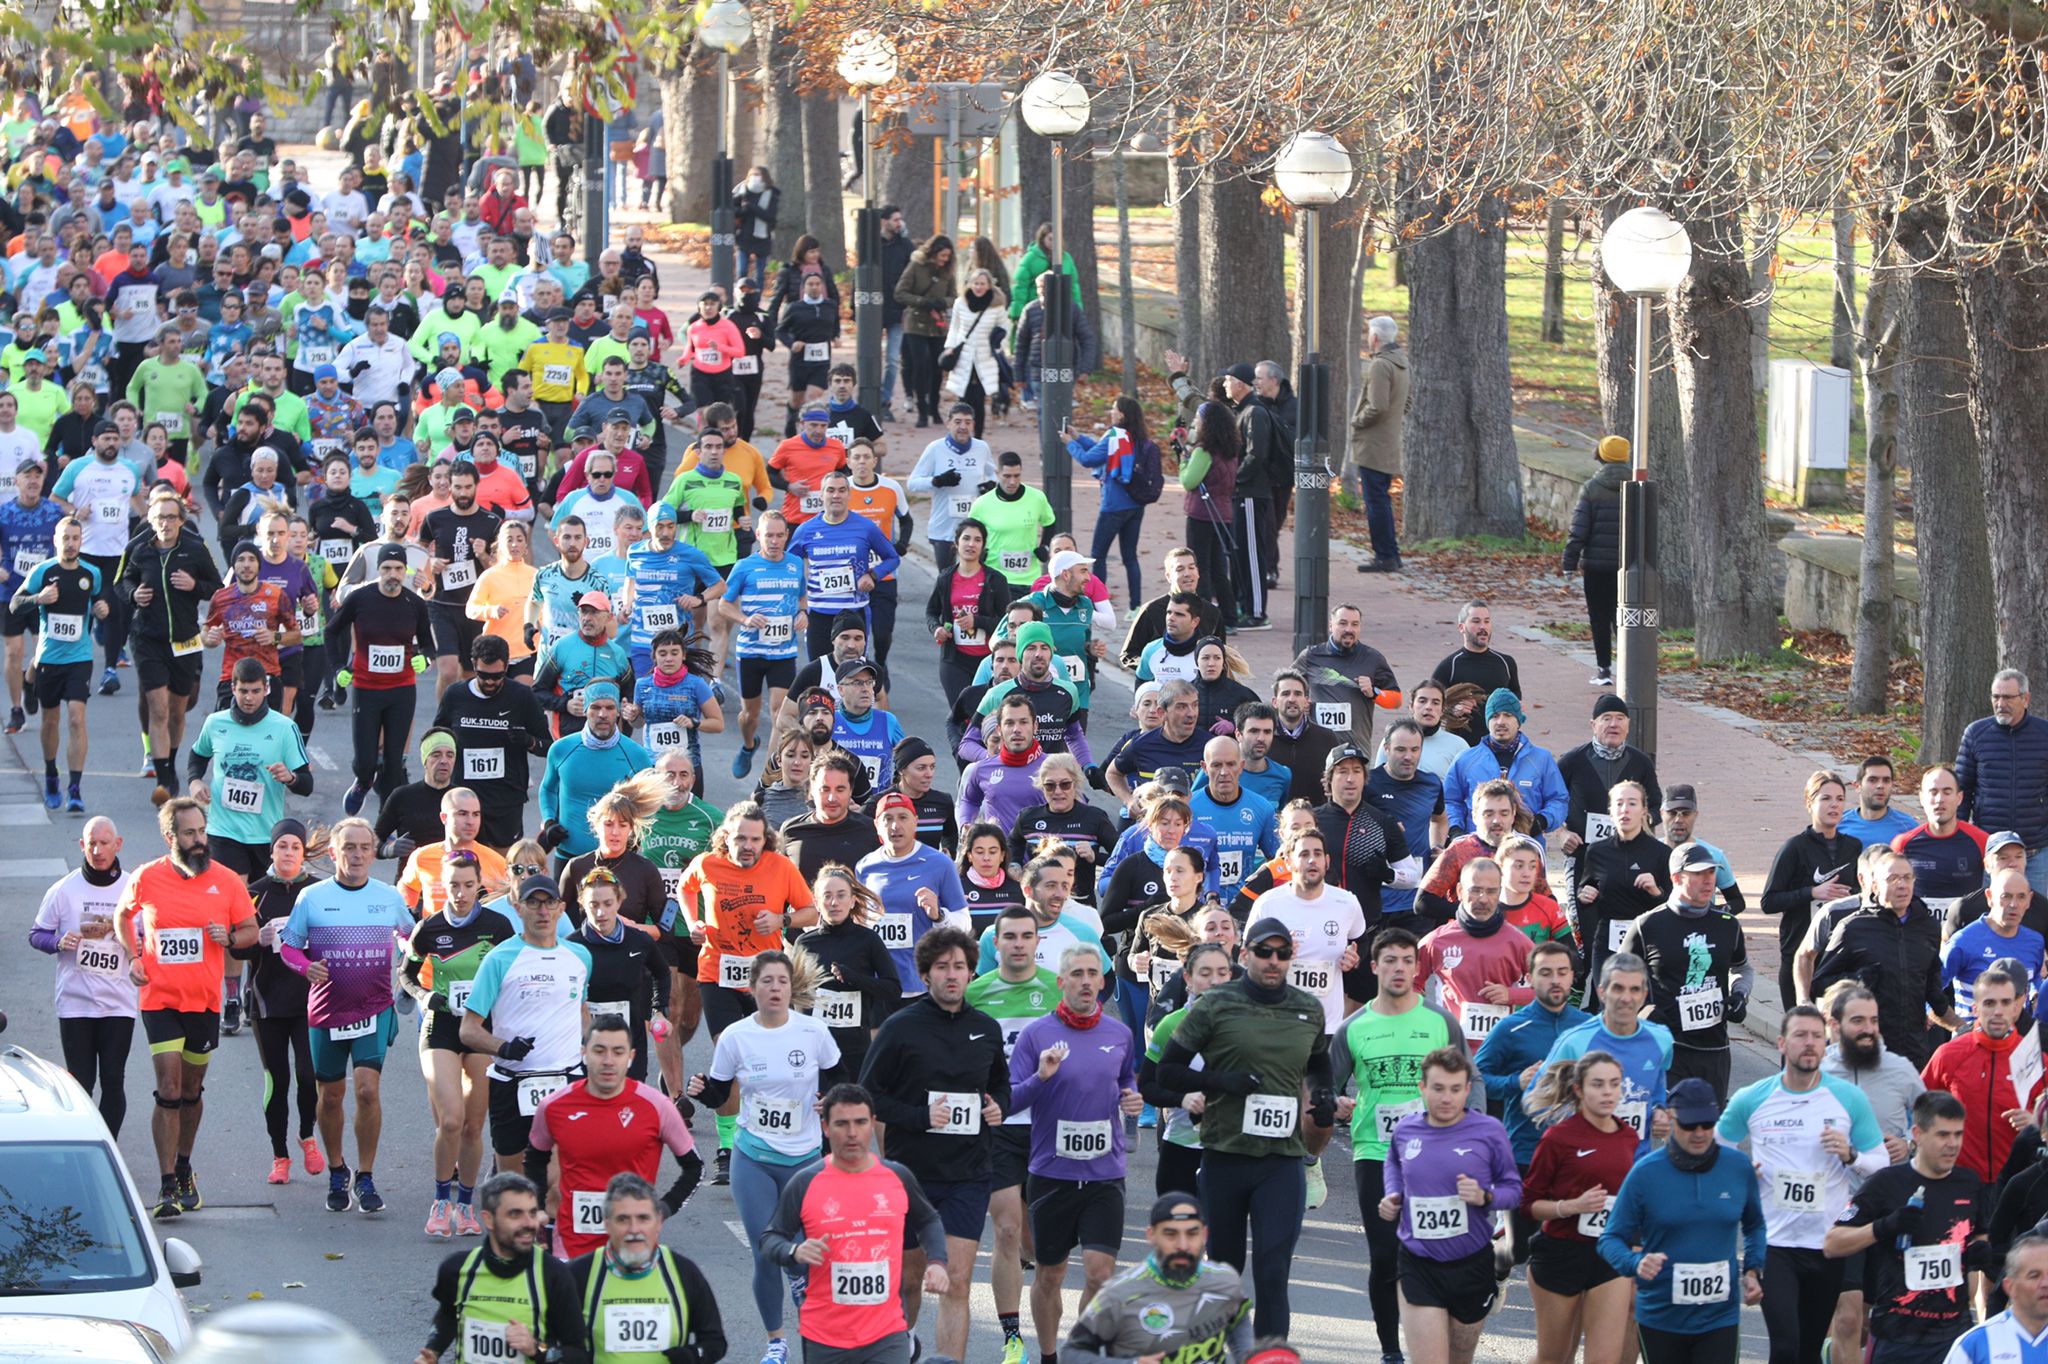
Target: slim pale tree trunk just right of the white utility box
{"points": [[1877, 579]]}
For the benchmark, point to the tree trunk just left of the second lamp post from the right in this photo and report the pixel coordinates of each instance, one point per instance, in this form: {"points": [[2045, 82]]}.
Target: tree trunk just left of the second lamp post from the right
{"points": [[1242, 278]]}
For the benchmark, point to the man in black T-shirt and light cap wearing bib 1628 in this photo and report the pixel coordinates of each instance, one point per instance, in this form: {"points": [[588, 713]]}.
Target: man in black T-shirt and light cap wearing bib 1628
{"points": [[1701, 974]]}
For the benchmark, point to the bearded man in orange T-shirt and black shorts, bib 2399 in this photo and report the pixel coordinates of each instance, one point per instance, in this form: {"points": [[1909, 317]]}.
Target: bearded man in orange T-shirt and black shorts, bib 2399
{"points": [[177, 921]]}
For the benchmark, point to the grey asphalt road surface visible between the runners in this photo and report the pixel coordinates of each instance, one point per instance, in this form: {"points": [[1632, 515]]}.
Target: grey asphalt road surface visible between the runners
{"points": [[263, 1242]]}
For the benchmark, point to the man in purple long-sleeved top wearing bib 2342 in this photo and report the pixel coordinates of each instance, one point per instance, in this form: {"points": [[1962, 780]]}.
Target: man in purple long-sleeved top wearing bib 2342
{"points": [[1447, 1173]]}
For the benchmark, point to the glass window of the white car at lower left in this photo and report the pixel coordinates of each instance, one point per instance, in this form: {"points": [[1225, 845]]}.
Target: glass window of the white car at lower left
{"points": [[67, 1222]]}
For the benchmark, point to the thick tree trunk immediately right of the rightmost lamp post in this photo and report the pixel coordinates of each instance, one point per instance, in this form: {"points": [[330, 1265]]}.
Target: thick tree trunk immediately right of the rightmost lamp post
{"points": [[1711, 331]]}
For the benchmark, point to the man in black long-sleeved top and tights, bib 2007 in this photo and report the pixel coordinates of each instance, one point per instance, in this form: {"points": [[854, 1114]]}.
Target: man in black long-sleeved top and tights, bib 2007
{"points": [[392, 636]]}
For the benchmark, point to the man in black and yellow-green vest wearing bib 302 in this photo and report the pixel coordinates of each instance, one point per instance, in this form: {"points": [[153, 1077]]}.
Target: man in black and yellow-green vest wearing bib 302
{"points": [[638, 1297]]}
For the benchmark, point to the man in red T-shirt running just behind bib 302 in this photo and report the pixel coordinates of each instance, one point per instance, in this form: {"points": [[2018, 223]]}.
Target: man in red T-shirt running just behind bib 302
{"points": [[603, 1125]]}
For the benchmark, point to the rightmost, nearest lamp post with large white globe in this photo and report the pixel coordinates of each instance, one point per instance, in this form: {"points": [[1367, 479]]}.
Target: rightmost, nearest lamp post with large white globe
{"points": [[1646, 255]]}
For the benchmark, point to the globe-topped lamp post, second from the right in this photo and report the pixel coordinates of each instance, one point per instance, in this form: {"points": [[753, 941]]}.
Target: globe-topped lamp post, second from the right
{"points": [[1314, 173]]}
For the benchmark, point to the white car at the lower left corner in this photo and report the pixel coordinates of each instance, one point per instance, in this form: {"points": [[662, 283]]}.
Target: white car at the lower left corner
{"points": [[75, 1232]]}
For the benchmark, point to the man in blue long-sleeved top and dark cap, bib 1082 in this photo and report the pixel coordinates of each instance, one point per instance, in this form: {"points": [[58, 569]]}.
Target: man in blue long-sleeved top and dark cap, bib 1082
{"points": [[1672, 1228]]}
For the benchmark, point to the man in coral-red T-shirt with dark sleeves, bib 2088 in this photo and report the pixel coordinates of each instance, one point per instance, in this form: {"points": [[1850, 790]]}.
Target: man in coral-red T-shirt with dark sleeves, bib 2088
{"points": [[847, 1220]]}
